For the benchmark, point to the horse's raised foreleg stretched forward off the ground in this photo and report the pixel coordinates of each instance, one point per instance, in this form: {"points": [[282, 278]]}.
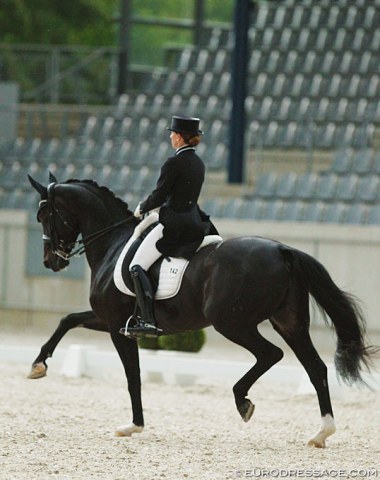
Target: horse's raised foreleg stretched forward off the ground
{"points": [[82, 319]]}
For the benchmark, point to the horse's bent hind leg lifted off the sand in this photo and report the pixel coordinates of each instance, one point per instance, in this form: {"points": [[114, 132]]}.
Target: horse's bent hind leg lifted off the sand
{"points": [[266, 355]]}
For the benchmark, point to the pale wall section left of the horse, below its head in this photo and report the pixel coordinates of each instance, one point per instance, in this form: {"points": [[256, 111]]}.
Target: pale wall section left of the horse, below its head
{"points": [[28, 300]]}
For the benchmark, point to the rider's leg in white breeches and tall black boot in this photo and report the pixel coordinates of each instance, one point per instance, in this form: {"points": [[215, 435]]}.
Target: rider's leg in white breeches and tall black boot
{"points": [[145, 256]]}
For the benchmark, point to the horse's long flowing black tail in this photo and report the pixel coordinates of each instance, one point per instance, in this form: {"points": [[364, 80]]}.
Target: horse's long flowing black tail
{"points": [[352, 356]]}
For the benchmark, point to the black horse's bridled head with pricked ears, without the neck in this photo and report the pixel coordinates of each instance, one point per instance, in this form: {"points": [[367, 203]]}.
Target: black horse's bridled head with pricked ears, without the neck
{"points": [[60, 231]]}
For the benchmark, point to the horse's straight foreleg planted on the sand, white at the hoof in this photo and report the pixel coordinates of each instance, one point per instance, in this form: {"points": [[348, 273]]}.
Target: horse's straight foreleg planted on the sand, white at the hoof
{"points": [[129, 356]]}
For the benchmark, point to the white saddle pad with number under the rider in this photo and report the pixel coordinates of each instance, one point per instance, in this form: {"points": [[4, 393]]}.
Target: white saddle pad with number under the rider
{"points": [[171, 270]]}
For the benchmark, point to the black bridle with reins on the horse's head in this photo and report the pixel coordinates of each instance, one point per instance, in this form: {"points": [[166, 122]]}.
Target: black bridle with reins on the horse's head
{"points": [[60, 247]]}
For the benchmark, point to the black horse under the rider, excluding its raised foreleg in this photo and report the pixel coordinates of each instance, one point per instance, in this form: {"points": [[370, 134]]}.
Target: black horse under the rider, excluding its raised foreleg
{"points": [[233, 286]]}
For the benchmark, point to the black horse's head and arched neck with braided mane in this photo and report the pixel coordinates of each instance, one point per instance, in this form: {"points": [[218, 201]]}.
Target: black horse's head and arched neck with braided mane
{"points": [[79, 207]]}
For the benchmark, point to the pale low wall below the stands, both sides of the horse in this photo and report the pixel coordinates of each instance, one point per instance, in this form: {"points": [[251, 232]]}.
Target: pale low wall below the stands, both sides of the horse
{"points": [[350, 253]]}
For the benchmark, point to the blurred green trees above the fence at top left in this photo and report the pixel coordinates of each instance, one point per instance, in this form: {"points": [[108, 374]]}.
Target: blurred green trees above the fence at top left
{"points": [[93, 22]]}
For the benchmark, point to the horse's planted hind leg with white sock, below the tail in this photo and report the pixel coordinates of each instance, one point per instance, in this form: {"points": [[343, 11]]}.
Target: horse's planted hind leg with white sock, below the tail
{"points": [[292, 323]]}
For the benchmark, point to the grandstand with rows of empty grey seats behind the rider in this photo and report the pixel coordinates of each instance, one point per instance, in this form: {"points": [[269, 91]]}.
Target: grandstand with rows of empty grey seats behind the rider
{"points": [[313, 115]]}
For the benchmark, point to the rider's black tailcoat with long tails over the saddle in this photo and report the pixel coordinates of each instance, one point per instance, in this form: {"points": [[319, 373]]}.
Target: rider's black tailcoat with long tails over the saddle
{"points": [[177, 192]]}
